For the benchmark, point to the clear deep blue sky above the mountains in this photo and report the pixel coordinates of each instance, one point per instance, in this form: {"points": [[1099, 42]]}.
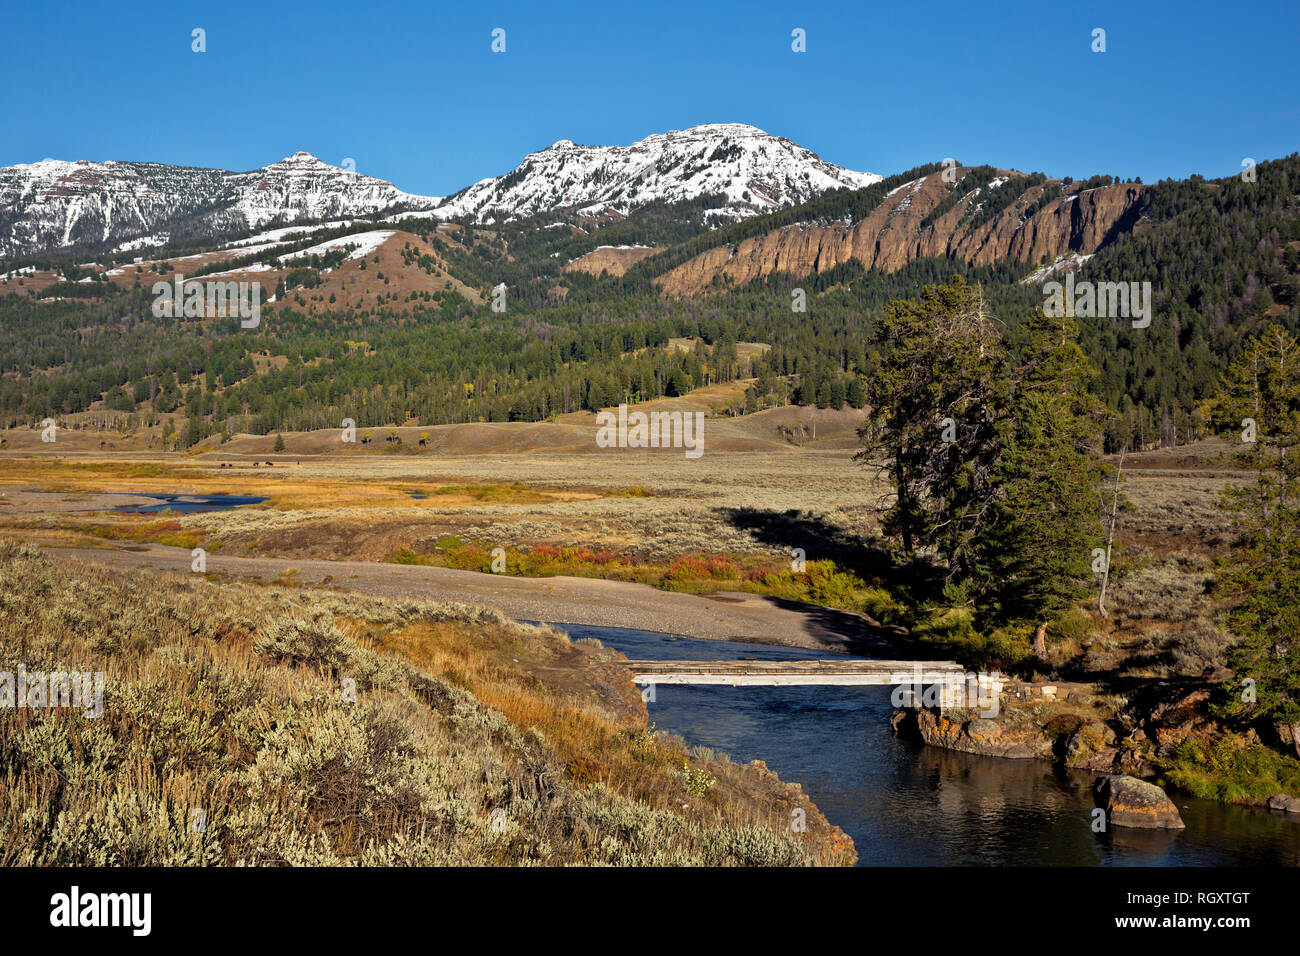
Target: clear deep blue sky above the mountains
{"points": [[414, 94]]}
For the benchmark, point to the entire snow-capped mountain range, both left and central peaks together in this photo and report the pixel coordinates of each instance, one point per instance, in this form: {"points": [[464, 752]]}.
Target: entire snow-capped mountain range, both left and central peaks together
{"points": [[81, 204]]}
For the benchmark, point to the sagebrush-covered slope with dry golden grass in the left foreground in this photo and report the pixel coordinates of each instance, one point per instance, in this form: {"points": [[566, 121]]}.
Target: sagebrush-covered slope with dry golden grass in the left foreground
{"points": [[228, 738]]}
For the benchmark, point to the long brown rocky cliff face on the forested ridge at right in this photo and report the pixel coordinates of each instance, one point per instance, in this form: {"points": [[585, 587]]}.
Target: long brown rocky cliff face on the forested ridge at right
{"points": [[896, 233]]}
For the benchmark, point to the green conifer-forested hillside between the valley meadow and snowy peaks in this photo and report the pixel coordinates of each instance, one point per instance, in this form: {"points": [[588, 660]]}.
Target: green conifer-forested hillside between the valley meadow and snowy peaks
{"points": [[1221, 256]]}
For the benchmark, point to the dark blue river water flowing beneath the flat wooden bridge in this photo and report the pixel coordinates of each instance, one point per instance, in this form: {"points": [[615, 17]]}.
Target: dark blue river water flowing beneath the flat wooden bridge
{"points": [[907, 804]]}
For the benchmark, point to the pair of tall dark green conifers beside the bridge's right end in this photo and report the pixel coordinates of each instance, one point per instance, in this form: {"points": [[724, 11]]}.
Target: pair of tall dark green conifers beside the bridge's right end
{"points": [[1006, 498]]}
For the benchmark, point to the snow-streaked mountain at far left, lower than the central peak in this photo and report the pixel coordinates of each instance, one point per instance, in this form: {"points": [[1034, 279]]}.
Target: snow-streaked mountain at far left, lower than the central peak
{"points": [[53, 204]]}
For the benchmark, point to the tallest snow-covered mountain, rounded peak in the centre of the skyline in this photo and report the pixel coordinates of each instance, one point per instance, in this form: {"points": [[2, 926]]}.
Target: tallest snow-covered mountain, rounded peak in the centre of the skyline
{"points": [[755, 171]]}
